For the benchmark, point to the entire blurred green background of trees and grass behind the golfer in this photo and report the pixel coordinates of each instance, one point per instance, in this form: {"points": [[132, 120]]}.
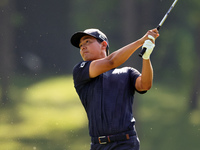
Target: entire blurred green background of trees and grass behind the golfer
{"points": [[39, 108]]}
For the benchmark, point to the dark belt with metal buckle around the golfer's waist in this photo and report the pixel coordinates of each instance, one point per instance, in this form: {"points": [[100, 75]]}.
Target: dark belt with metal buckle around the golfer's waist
{"points": [[113, 138]]}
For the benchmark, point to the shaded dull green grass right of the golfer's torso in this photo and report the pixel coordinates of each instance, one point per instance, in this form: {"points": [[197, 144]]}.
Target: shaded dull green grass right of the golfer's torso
{"points": [[166, 122]]}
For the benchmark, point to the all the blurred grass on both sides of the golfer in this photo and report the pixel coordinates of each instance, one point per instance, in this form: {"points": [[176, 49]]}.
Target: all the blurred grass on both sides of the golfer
{"points": [[46, 114]]}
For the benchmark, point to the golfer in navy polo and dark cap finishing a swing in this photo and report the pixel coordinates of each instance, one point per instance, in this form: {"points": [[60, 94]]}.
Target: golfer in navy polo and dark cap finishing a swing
{"points": [[107, 92]]}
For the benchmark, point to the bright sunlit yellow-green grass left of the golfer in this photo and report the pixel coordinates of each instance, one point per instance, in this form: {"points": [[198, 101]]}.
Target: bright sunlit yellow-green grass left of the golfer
{"points": [[47, 115]]}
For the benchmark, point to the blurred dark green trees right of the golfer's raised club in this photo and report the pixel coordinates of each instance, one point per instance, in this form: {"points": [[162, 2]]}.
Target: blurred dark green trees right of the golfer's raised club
{"points": [[177, 50]]}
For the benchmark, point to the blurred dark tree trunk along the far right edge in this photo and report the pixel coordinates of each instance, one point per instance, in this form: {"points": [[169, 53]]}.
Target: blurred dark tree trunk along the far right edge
{"points": [[194, 22]]}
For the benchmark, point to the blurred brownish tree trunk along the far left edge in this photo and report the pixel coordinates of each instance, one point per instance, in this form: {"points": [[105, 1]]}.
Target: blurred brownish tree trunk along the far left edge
{"points": [[6, 46]]}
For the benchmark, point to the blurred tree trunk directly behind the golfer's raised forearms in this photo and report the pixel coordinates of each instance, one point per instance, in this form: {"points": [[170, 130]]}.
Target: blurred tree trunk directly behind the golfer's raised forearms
{"points": [[129, 22]]}
